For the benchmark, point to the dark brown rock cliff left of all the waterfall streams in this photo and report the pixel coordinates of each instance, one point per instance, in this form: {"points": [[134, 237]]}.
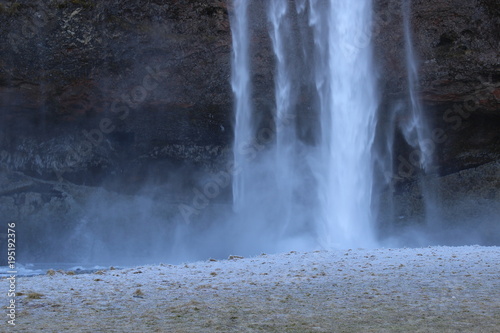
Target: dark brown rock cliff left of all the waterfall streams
{"points": [[92, 88]]}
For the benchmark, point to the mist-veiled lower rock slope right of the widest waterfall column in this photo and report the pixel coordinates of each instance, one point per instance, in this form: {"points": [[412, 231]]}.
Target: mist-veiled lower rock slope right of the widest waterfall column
{"points": [[458, 208]]}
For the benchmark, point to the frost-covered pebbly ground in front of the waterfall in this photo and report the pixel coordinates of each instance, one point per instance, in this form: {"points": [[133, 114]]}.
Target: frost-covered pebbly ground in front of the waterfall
{"points": [[434, 289]]}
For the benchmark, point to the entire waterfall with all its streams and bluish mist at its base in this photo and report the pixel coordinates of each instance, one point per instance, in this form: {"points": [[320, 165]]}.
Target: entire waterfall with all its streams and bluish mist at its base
{"points": [[308, 168]]}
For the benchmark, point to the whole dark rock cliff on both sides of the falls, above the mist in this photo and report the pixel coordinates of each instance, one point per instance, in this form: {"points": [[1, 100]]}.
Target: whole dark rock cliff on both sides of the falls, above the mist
{"points": [[116, 93]]}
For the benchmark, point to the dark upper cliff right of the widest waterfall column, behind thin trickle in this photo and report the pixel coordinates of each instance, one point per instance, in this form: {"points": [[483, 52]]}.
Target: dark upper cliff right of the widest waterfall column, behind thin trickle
{"points": [[457, 46]]}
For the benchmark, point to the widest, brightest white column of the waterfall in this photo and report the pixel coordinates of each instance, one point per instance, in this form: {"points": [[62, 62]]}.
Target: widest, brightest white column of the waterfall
{"points": [[346, 88]]}
